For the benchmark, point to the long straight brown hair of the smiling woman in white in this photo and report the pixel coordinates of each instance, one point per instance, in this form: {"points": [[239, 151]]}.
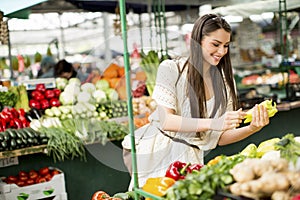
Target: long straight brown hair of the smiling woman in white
{"points": [[196, 90]]}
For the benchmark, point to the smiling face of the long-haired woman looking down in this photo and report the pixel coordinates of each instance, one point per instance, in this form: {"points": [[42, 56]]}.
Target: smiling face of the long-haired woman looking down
{"points": [[215, 46]]}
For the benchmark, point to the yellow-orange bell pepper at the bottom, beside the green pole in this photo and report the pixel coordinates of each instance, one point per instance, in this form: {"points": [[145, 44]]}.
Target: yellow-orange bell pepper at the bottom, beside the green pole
{"points": [[158, 186]]}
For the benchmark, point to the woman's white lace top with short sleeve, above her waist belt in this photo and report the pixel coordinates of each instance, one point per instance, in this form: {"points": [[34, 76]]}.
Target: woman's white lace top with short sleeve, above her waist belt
{"points": [[174, 97]]}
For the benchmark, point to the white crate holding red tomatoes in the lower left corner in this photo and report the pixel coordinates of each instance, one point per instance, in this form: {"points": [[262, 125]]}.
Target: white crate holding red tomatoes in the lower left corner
{"points": [[54, 188]]}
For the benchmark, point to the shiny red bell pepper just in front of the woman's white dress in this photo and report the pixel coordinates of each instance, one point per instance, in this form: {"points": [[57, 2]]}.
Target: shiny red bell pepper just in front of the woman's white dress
{"points": [[178, 170]]}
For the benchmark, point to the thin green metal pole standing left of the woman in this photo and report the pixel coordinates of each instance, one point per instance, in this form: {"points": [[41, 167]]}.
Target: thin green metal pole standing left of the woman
{"points": [[129, 95]]}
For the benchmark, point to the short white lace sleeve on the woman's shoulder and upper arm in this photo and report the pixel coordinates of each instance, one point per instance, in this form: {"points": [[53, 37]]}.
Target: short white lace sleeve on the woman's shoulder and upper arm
{"points": [[164, 91]]}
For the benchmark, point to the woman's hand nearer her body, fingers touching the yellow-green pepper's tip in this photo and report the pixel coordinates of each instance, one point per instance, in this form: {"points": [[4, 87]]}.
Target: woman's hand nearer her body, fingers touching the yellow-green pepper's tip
{"points": [[229, 120]]}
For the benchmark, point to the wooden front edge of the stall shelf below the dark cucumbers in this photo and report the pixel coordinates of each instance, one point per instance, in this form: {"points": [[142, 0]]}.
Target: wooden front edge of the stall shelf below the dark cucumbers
{"points": [[24, 151]]}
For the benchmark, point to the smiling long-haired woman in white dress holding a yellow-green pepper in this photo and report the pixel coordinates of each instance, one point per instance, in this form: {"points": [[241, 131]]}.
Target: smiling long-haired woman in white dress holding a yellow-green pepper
{"points": [[197, 104]]}
